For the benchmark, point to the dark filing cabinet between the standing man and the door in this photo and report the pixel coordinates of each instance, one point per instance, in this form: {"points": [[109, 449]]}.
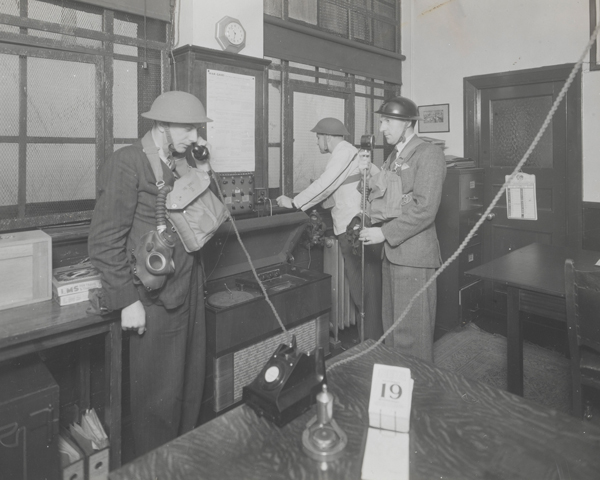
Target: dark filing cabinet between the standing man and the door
{"points": [[459, 296]]}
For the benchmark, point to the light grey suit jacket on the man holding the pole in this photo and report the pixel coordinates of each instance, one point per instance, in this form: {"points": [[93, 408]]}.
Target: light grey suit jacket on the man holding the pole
{"points": [[411, 239]]}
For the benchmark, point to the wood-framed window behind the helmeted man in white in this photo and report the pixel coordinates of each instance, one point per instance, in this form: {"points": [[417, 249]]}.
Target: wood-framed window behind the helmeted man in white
{"points": [[299, 96]]}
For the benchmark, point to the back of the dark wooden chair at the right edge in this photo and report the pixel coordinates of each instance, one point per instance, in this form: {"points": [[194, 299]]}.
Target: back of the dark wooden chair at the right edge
{"points": [[582, 290]]}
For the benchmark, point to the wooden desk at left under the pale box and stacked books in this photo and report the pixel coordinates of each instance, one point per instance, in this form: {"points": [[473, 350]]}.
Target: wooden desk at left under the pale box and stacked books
{"points": [[31, 328]]}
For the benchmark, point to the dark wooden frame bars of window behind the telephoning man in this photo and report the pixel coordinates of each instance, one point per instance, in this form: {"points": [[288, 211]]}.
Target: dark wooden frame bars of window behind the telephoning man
{"points": [[15, 217]]}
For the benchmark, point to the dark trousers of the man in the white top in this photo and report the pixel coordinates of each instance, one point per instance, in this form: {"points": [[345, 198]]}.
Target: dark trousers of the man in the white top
{"points": [[352, 266]]}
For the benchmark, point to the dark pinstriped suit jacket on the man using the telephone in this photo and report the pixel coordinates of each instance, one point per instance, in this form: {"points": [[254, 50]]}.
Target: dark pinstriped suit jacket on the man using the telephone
{"points": [[125, 210]]}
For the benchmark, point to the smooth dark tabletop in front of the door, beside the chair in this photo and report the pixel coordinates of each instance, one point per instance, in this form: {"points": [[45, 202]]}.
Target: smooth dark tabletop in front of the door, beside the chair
{"points": [[537, 267]]}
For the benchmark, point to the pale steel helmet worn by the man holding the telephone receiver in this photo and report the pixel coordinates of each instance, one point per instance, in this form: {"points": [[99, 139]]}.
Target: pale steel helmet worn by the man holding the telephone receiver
{"points": [[177, 107]]}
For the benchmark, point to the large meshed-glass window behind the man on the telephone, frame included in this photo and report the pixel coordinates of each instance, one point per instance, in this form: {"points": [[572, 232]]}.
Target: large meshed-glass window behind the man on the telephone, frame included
{"points": [[73, 80]]}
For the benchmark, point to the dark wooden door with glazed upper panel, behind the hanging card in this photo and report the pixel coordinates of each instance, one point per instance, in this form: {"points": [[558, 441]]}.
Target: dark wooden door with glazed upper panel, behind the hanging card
{"points": [[511, 118]]}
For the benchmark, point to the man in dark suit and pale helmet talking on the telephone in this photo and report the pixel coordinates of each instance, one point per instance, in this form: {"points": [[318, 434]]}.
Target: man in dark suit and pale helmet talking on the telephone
{"points": [[167, 344]]}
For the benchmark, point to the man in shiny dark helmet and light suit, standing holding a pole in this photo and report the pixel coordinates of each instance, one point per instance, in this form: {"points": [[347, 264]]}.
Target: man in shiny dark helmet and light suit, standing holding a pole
{"points": [[411, 252]]}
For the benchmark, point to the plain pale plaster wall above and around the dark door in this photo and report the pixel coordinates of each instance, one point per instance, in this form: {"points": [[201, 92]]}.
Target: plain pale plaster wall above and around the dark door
{"points": [[448, 40]]}
